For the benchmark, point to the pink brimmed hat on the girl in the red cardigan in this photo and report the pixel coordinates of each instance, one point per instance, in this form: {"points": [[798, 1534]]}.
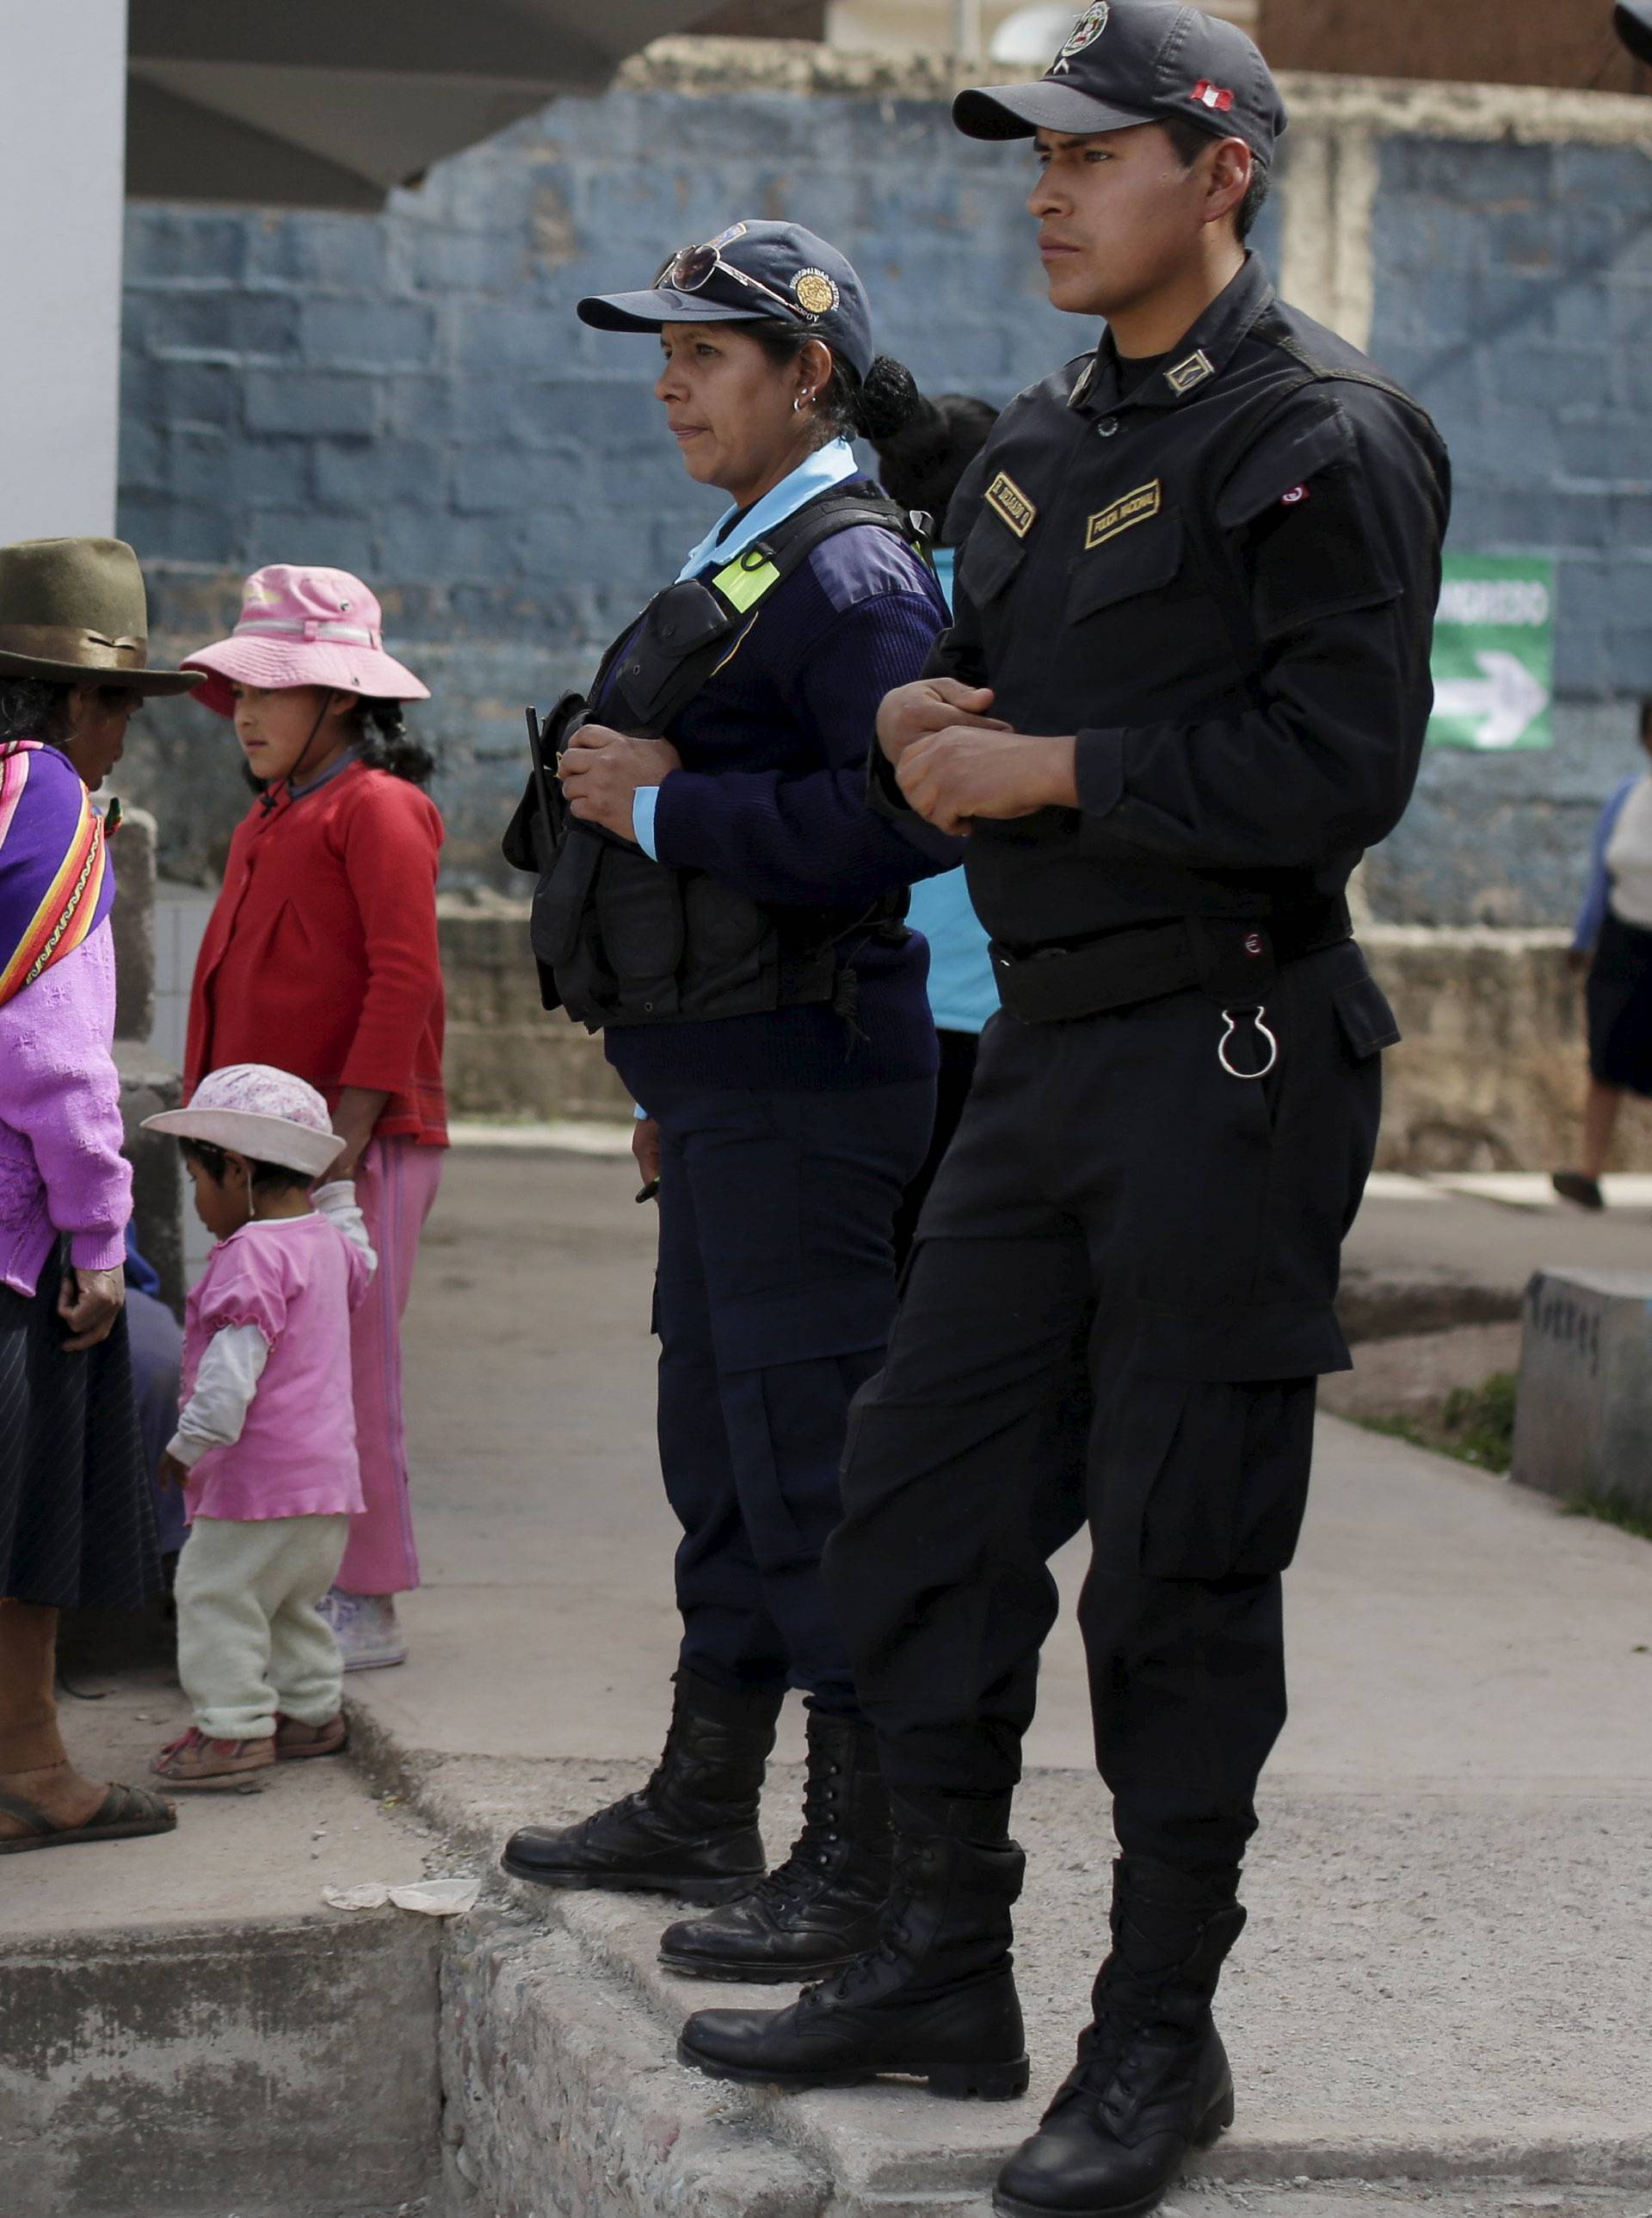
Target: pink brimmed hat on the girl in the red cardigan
{"points": [[303, 627]]}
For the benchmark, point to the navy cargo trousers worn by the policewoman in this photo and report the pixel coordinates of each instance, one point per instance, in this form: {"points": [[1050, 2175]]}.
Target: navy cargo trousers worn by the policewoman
{"points": [[773, 1308]]}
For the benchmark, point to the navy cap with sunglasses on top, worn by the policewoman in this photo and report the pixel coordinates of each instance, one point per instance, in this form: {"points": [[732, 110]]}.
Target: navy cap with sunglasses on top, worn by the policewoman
{"points": [[755, 272]]}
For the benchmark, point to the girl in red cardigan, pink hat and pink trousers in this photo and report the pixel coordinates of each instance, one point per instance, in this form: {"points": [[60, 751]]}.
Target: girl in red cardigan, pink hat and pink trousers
{"points": [[323, 959]]}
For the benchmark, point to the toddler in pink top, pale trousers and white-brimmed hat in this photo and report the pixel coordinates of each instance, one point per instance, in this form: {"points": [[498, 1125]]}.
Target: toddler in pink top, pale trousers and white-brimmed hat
{"points": [[265, 1441]]}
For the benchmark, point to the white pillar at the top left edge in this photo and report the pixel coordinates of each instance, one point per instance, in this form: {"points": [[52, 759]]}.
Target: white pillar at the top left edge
{"points": [[63, 159]]}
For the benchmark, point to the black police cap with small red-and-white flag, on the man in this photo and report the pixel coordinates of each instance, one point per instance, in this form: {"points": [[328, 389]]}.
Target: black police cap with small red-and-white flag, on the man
{"points": [[1139, 63]]}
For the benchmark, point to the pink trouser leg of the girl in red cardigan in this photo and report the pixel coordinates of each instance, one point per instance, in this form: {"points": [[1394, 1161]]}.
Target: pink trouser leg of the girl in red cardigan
{"points": [[396, 1183]]}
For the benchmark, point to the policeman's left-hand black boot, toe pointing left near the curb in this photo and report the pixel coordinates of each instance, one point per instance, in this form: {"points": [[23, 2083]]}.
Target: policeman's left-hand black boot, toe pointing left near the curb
{"points": [[935, 2000]]}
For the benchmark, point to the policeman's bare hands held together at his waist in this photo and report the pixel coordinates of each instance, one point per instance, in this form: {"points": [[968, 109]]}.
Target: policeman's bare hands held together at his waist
{"points": [[955, 762]]}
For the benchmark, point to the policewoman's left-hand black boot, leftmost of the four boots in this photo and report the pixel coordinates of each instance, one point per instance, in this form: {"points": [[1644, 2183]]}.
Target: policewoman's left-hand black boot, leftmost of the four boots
{"points": [[693, 1829]]}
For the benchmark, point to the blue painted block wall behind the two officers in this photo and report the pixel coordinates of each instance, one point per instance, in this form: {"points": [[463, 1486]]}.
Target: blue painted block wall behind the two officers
{"points": [[411, 396]]}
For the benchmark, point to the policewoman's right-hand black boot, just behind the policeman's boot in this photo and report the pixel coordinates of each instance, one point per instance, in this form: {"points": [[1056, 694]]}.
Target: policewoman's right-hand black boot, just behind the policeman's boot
{"points": [[824, 1906]]}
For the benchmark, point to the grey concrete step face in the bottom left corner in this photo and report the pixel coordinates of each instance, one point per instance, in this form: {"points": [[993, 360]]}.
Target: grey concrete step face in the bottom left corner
{"points": [[196, 2071]]}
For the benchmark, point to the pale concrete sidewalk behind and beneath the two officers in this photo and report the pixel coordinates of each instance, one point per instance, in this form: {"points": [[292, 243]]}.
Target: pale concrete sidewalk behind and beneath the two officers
{"points": [[1447, 1968]]}
